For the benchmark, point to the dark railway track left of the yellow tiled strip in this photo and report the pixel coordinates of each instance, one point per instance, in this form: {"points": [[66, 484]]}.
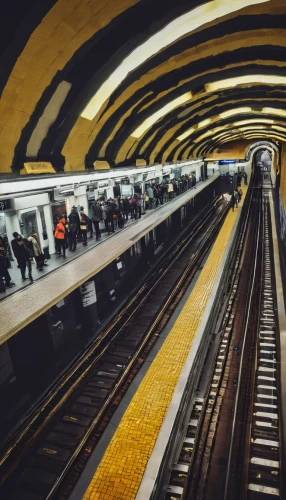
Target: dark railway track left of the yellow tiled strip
{"points": [[44, 456]]}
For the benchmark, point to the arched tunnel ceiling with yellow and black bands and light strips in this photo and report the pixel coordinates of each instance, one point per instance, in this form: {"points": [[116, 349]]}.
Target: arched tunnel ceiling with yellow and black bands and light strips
{"points": [[117, 80]]}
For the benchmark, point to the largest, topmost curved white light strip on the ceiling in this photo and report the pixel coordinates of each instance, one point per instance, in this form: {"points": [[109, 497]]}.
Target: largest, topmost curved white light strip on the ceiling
{"points": [[181, 26]]}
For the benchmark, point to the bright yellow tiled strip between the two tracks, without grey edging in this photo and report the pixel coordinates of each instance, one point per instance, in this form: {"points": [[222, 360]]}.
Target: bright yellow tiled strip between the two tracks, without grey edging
{"points": [[120, 472]]}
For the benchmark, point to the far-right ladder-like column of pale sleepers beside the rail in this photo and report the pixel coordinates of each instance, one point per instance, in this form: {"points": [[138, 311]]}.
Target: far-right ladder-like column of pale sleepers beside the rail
{"points": [[264, 453]]}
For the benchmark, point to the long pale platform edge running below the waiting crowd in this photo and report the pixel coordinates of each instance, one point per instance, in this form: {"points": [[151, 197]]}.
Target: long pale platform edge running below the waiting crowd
{"points": [[37, 298]]}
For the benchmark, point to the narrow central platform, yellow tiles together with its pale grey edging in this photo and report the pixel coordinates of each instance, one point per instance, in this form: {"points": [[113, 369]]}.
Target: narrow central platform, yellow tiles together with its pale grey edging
{"points": [[133, 455]]}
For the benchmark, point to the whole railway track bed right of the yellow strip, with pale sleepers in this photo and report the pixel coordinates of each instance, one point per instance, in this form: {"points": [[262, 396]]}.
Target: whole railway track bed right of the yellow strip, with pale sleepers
{"points": [[234, 451]]}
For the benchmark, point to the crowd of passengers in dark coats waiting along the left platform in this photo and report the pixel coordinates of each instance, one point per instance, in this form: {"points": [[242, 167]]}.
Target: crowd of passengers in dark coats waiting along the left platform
{"points": [[77, 226]]}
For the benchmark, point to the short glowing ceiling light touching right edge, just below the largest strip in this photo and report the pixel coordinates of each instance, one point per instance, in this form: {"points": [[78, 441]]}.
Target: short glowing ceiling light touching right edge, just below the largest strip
{"points": [[245, 80]]}
